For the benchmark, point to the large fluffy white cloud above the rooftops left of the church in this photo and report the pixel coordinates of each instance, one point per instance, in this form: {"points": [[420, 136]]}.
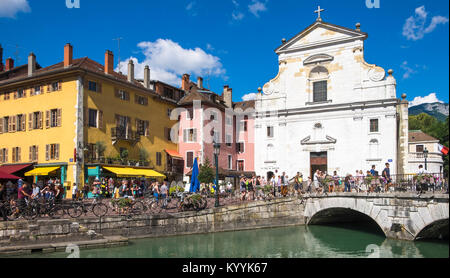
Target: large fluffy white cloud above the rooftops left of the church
{"points": [[168, 61]]}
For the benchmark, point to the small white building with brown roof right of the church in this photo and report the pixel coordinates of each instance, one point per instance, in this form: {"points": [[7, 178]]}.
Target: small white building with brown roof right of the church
{"points": [[418, 143]]}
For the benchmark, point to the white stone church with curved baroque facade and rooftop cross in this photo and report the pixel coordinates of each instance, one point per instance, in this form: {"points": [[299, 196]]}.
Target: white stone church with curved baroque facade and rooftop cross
{"points": [[329, 109]]}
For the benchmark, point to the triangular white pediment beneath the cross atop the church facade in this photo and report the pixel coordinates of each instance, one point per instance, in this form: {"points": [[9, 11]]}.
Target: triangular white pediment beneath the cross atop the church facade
{"points": [[320, 34]]}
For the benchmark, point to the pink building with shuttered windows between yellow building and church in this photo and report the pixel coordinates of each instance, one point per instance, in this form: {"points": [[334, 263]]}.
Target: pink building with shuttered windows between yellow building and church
{"points": [[205, 117]]}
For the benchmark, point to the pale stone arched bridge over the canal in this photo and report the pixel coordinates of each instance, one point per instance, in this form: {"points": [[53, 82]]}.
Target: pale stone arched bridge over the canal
{"points": [[404, 216]]}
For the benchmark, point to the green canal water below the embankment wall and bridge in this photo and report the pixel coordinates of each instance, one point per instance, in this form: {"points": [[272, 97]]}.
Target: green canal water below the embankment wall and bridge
{"points": [[289, 242]]}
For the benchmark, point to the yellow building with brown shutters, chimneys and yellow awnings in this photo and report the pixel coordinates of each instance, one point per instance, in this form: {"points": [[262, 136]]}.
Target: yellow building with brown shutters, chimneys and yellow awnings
{"points": [[78, 118]]}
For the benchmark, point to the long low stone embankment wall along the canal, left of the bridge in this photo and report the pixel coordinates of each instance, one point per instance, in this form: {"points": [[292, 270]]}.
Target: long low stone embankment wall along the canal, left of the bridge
{"points": [[277, 213]]}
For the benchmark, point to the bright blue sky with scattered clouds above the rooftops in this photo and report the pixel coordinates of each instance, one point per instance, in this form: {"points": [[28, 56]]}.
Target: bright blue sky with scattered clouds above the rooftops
{"points": [[230, 42]]}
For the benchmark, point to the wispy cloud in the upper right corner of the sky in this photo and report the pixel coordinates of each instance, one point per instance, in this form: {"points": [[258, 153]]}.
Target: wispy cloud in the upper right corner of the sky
{"points": [[414, 28]]}
